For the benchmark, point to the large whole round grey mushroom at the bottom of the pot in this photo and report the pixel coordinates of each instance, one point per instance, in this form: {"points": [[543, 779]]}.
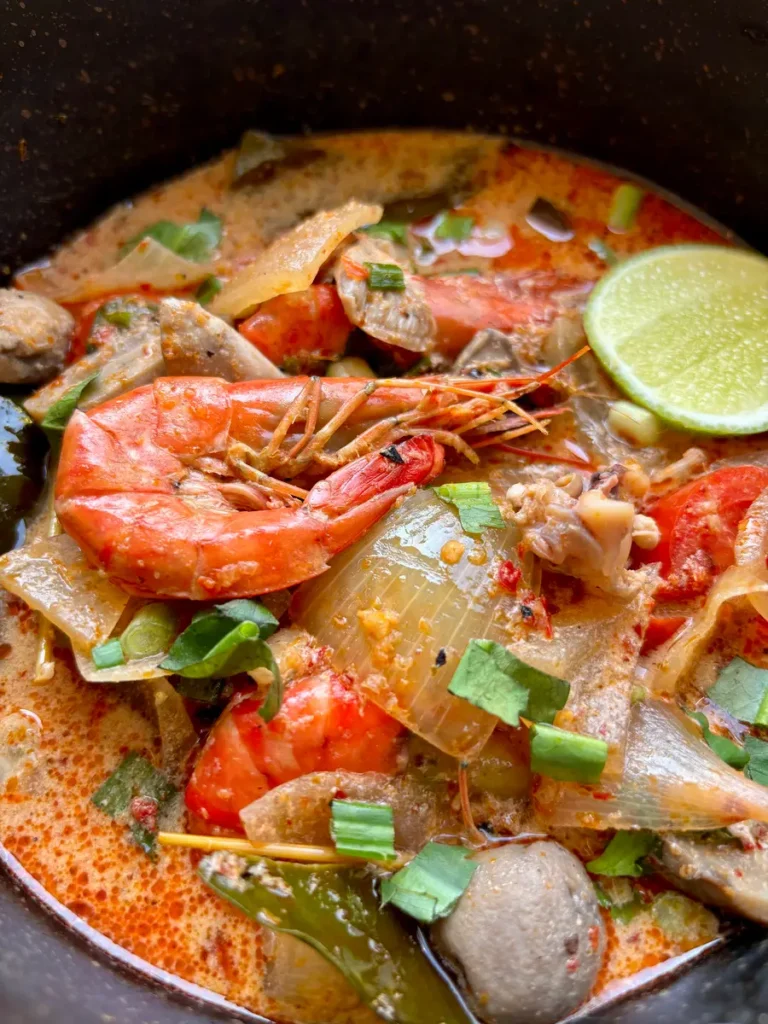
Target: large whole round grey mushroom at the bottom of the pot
{"points": [[527, 936]]}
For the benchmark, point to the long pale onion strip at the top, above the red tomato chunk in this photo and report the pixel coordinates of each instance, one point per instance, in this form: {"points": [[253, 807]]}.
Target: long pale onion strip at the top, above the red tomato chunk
{"points": [[291, 264]]}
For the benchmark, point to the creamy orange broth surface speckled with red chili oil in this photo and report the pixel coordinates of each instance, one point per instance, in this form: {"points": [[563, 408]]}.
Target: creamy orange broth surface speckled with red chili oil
{"points": [[161, 911]]}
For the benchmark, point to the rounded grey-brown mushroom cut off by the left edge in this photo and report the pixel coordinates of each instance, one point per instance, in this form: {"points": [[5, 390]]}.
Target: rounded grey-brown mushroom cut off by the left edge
{"points": [[34, 337]]}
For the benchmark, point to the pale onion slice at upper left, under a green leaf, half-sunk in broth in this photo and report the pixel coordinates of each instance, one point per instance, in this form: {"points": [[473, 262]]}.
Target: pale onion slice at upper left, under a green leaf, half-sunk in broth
{"points": [[149, 265]]}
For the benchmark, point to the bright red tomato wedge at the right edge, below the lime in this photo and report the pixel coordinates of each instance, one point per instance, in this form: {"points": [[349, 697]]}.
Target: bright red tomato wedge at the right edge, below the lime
{"points": [[699, 526]]}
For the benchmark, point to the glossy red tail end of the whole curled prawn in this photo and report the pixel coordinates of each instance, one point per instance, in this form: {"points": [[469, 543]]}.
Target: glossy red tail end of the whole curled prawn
{"points": [[356, 497]]}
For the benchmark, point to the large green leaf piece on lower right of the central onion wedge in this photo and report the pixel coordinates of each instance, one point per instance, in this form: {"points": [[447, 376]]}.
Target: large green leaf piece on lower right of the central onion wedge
{"points": [[493, 678]]}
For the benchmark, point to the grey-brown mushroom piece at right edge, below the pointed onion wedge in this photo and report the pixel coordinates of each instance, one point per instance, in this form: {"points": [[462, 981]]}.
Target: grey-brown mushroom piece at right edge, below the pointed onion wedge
{"points": [[722, 874]]}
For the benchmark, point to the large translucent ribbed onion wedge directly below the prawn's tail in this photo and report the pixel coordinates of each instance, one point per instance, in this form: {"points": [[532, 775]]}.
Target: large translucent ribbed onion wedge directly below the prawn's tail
{"points": [[391, 605]]}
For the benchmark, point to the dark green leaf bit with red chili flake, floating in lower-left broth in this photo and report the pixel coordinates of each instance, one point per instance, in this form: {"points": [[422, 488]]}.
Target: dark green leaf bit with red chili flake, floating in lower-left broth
{"points": [[136, 793]]}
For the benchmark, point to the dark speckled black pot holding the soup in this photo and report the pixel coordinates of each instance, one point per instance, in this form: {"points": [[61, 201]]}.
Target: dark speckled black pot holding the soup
{"points": [[100, 99]]}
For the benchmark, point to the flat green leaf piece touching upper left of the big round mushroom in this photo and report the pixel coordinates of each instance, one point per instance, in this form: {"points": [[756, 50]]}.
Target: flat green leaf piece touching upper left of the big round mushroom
{"points": [[432, 885]]}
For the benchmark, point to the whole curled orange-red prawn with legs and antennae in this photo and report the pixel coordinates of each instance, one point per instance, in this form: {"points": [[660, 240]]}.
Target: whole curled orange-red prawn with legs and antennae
{"points": [[168, 488]]}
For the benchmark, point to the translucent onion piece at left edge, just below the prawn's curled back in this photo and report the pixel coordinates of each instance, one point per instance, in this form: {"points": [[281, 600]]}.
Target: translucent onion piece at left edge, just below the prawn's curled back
{"points": [[53, 576]]}
